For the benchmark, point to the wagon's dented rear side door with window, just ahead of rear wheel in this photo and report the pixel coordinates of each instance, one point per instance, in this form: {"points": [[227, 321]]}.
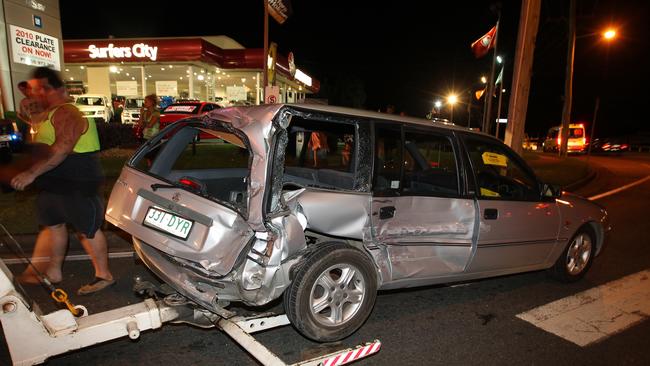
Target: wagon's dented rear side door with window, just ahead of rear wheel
{"points": [[418, 212]]}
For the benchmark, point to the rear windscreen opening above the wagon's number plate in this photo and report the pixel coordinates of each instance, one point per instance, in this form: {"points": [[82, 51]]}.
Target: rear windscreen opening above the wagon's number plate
{"points": [[216, 168]]}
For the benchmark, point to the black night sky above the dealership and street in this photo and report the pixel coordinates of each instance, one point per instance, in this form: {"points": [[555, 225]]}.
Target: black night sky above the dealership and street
{"points": [[409, 53]]}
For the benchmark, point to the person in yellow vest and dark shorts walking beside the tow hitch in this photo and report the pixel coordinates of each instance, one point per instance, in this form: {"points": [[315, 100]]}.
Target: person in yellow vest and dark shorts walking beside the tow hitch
{"points": [[68, 176]]}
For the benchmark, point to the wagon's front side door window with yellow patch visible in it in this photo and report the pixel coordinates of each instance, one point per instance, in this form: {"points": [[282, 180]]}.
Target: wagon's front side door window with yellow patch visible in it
{"points": [[498, 174]]}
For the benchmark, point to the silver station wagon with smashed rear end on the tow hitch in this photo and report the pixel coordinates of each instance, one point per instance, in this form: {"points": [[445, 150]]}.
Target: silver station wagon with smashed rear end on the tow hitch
{"points": [[325, 206]]}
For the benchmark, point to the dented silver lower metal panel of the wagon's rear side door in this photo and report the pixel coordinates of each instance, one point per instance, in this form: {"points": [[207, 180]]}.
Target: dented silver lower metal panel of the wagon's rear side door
{"points": [[426, 237]]}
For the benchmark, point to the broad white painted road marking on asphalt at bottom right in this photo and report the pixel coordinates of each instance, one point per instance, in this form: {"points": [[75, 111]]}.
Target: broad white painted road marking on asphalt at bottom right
{"points": [[595, 314]]}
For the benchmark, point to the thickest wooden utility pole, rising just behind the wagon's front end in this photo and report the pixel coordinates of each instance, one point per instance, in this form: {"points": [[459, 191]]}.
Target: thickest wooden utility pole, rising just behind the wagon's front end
{"points": [[523, 64]]}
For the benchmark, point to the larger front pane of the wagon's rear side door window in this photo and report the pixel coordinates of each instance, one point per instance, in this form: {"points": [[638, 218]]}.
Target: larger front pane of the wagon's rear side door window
{"points": [[429, 165]]}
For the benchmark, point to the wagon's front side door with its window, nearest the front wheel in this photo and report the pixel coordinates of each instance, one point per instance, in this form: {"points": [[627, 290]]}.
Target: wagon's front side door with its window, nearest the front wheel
{"points": [[518, 228]]}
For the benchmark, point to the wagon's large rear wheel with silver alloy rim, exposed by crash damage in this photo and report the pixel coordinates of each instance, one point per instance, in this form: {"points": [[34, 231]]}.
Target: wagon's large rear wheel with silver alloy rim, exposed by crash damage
{"points": [[332, 293]]}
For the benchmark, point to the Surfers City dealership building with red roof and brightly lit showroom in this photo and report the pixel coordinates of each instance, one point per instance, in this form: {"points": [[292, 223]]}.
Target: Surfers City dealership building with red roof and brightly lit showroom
{"points": [[205, 68]]}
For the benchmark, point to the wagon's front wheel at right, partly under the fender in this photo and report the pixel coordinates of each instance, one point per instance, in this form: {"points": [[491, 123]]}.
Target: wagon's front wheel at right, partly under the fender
{"points": [[577, 257]]}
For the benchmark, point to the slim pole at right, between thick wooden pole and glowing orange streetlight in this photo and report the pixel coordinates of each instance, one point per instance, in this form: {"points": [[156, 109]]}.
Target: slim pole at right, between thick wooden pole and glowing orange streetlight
{"points": [[568, 80]]}
